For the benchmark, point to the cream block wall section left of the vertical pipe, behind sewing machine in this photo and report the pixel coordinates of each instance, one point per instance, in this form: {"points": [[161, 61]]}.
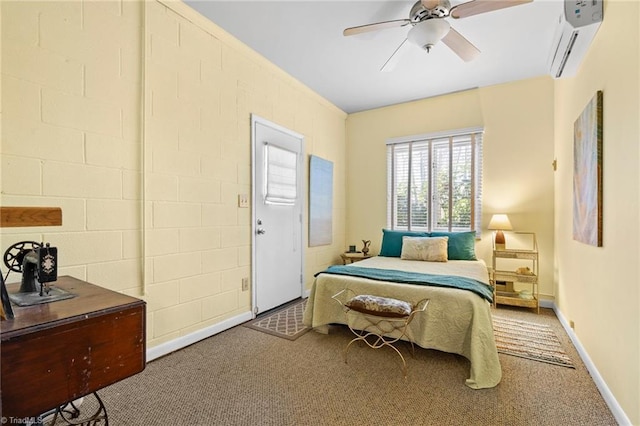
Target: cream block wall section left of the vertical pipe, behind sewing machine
{"points": [[71, 100]]}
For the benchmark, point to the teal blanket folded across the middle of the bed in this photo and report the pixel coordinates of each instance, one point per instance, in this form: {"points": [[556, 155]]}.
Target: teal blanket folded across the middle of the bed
{"points": [[481, 289]]}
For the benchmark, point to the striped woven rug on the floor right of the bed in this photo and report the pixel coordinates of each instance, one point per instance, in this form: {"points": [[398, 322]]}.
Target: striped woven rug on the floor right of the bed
{"points": [[529, 340]]}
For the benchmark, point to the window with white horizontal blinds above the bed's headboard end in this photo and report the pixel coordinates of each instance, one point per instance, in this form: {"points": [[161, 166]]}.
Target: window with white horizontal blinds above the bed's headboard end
{"points": [[434, 182]]}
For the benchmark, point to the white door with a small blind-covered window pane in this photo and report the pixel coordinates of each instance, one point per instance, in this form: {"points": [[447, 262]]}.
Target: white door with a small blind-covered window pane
{"points": [[278, 197]]}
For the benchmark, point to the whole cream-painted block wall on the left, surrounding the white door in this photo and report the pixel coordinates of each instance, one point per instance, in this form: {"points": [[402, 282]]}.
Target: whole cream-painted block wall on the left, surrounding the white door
{"points": [[139, 128]]}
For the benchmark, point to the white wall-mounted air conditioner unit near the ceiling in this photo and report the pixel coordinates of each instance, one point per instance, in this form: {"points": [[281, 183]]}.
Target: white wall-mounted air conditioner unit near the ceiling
{"points": [[576, 28]]}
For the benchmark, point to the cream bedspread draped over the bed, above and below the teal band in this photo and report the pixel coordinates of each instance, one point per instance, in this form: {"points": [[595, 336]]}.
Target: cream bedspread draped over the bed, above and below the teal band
{"points": [[456, 321]]}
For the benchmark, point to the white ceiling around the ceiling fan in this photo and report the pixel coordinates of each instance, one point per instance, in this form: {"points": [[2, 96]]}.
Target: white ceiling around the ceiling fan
{"points": [[305, 39]]}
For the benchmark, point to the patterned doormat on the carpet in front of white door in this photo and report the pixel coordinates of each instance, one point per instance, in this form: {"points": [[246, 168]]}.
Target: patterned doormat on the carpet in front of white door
{"points": [[285, 323]]}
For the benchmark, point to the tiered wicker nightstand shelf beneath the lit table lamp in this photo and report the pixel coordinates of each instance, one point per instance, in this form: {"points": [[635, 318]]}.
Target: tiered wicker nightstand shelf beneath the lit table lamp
{"points": [[503, 280]]}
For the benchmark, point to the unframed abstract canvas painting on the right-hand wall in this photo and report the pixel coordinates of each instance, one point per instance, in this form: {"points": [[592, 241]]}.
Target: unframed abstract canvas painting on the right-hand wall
{"points": [[587, 174]]}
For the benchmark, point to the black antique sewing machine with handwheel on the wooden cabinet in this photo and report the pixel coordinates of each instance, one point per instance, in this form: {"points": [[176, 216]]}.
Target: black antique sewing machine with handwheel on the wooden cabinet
{"points": [[38, 264]]}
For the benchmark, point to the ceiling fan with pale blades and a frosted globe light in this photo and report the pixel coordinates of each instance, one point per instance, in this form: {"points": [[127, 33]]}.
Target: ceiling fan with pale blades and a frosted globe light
{"points": [[428, 26]]}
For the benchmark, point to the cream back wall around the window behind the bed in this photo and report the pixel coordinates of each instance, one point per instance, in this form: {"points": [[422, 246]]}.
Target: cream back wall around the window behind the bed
{"points": [[518, 151]]}
